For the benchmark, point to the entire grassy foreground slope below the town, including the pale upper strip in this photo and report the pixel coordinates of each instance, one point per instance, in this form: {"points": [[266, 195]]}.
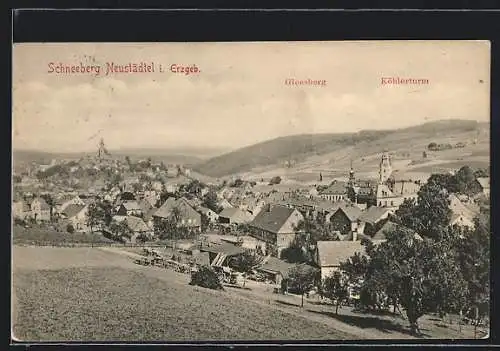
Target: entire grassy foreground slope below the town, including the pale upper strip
{"points": [[99, 294]]}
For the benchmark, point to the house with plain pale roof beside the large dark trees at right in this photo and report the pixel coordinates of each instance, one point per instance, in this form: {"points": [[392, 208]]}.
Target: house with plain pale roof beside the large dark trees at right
{"points": [[329, 255]]}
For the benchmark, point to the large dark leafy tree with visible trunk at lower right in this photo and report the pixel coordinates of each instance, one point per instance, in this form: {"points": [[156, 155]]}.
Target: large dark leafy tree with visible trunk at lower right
{"points": [[420, 273]]}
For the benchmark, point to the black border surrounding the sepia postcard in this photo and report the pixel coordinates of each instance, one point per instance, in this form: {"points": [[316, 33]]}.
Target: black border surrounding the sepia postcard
{"points": [[263, 25]]}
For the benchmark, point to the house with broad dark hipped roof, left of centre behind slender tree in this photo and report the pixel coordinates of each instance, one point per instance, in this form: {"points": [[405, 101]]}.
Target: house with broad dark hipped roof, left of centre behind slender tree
{"points": [[188, 216]]}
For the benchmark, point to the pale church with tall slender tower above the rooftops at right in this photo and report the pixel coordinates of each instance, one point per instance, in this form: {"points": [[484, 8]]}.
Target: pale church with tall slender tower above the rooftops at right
{"points": [[387, 191]]}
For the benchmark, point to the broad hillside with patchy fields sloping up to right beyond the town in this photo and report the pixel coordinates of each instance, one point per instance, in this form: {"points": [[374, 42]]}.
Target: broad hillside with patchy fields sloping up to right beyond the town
{"points": [[332, 150]]}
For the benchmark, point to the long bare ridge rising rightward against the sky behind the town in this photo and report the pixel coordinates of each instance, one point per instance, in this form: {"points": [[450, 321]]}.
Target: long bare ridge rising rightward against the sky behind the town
{"points": [[299, 147]]}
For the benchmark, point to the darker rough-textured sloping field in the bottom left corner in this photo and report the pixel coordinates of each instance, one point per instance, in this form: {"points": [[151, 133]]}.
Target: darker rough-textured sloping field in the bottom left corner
{"points": [[111, 303]]}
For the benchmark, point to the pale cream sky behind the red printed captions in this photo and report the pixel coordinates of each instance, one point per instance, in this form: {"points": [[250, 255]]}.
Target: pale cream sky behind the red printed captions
{"points": [[239, 96]]}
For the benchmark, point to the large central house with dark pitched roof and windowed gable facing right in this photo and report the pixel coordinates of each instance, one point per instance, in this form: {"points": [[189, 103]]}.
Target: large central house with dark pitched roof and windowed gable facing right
{"points": [[276, 225]]}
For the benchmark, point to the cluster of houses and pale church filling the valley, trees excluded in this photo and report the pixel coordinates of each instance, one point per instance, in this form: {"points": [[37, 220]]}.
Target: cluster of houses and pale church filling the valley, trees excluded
{"points": [[269, 214]]}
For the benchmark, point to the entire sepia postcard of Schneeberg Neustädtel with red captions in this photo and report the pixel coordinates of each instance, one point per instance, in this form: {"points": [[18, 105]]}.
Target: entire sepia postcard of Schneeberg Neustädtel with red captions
{"points": [[250, 191]]}
